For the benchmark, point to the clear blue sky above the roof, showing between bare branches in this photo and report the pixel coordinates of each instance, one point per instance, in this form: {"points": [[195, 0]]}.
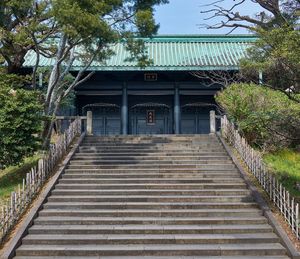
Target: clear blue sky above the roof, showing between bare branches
{"points": [[184, 16]]}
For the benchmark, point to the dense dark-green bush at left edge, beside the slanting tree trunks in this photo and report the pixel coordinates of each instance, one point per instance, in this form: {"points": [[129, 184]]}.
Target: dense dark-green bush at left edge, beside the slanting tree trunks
{"points": [[20, 121]]}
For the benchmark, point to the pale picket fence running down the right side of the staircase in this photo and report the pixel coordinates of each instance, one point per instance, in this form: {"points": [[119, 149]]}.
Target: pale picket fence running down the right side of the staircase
{"points": [[276, 192]]}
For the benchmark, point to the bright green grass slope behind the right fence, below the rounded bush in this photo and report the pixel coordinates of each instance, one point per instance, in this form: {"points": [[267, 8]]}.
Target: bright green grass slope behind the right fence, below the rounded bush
{"points": [[286, 165]]}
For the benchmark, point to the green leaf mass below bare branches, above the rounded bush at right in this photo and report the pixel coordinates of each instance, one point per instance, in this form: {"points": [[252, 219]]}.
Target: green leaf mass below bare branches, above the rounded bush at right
{"points": [[276, 53]]}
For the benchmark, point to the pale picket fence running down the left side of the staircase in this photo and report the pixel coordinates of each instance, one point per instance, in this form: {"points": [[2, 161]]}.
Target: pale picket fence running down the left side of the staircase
{"points": [[35, 179]]}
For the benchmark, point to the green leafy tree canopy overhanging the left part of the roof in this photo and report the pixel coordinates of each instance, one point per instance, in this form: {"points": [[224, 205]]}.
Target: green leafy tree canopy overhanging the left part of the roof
{"points": [[31, 24]]}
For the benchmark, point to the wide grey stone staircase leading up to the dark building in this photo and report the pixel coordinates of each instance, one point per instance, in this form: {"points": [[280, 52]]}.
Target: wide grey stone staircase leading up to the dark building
{"points": [[151, 197]]}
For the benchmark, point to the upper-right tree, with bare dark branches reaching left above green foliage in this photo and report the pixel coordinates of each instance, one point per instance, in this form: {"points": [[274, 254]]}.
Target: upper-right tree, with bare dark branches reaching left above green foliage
{"points": [[276, 52]]}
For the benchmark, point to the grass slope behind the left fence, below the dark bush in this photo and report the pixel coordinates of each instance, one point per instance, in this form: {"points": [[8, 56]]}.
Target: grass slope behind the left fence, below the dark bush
{"points": [[12, 176]]}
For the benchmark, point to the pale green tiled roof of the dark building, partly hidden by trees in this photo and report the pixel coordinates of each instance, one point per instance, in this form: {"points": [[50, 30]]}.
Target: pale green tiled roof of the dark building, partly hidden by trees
{"points": [[177, 52]]}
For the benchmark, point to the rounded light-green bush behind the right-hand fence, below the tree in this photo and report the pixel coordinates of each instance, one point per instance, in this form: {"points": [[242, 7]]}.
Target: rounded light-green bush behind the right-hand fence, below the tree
{"points": [[267, 118]]}
